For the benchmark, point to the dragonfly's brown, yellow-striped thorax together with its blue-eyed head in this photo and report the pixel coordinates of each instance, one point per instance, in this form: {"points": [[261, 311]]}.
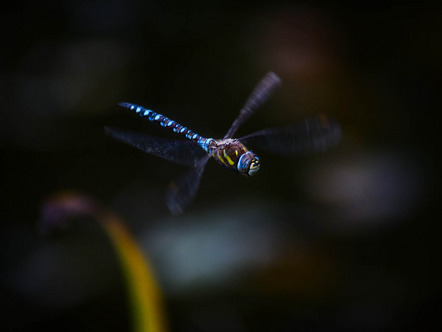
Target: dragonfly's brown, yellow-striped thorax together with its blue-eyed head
{"points": [[234, 155]]}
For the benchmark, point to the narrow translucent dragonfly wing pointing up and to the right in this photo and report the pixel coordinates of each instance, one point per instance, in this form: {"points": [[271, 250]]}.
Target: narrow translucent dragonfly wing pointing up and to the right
{"points": [[265, 88]]}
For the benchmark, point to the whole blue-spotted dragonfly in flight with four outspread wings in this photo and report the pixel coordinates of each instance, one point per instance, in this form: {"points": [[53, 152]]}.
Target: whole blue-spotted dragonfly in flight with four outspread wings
{"points": [[311, 135]]}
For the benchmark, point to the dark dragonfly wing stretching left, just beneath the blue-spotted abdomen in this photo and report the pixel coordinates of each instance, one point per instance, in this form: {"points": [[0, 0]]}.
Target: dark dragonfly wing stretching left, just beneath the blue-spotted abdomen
{"points": [[181, 152]]}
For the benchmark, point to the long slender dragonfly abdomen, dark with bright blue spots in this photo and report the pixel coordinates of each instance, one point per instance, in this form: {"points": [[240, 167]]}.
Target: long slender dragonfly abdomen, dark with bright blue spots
{"points": [[164, 121]]}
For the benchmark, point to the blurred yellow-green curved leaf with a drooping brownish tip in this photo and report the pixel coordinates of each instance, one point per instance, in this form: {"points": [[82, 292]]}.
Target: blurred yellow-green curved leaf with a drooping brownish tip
{"points": [[144, 294]]}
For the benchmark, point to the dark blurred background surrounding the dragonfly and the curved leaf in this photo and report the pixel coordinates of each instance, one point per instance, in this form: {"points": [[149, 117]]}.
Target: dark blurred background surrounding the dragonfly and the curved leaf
{"points": [[343, 240]]}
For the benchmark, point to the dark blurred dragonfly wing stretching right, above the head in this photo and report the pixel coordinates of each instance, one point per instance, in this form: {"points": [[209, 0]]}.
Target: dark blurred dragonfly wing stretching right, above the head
{"points": [[311, 135]]}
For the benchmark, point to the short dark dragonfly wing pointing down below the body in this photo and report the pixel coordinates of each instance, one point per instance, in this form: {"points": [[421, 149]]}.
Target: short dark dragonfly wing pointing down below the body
{"points": [[182, 192]]}
